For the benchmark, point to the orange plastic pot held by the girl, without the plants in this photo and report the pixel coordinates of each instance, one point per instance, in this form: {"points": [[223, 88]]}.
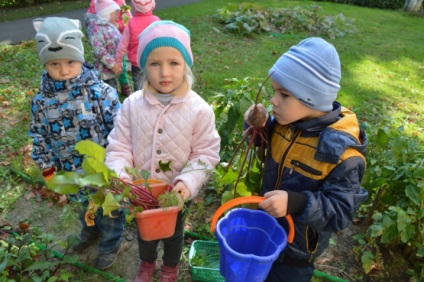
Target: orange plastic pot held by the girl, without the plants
{"points": [[157, 223]]}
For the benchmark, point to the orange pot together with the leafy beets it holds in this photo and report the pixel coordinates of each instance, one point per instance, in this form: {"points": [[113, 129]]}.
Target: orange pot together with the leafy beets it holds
{"points": [[104, 189]]}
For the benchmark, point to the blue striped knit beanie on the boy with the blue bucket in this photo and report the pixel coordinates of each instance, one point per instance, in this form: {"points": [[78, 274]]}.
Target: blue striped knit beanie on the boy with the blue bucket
{"points": [[311, 72]]}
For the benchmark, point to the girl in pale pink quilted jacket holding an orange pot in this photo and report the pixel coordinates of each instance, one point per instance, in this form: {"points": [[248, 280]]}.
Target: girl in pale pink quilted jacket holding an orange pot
{"points": [[165, 123]]}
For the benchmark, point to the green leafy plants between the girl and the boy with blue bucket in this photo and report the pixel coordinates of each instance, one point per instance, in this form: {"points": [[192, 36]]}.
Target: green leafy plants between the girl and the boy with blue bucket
{"points": [[230, 107]]}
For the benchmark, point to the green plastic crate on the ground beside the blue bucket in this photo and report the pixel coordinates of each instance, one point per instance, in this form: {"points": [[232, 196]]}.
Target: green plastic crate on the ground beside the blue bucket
{"points": [[205, 253]]}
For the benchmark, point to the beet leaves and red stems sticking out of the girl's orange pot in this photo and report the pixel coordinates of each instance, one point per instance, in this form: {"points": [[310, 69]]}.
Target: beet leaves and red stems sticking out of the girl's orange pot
{"points": [[105, 189]]}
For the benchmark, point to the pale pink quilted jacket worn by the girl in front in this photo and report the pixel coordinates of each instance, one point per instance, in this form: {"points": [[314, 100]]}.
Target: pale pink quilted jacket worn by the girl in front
{"points": [[182, 133]]}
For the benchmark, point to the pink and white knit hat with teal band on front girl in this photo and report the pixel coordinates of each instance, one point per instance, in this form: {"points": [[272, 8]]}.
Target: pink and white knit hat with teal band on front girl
{"points": [[164, 34]]}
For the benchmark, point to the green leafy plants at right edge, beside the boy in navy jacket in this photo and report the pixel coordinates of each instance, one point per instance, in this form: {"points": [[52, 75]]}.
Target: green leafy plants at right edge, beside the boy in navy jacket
{"points": [[395, 180]]}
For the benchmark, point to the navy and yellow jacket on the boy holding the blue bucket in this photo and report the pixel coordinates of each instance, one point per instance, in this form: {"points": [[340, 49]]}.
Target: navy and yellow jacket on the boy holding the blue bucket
{"points": [[320, 163]]}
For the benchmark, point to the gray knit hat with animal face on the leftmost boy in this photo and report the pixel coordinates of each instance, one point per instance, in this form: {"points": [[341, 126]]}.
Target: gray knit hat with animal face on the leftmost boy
{"points": [[58, 38]]}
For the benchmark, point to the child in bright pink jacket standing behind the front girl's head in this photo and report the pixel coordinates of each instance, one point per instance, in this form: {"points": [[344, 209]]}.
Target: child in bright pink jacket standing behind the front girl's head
{"points": [[142, 18]]}
